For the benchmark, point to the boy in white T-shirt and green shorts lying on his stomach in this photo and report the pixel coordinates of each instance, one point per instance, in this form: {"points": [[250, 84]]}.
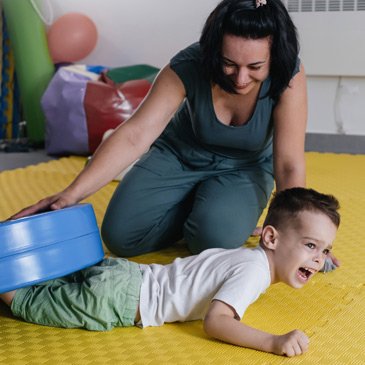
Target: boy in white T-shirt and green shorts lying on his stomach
{"points": [[217, 285]]}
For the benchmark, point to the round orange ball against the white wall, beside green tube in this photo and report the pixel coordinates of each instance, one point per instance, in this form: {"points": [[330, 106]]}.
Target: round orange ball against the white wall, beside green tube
{"points": [[71, 37]]}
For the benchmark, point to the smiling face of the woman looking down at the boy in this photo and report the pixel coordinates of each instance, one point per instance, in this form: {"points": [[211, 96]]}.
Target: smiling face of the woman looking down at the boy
{"points": [[246, 61]]}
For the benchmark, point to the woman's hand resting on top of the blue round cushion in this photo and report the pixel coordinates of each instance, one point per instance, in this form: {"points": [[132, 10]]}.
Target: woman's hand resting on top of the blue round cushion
{"points": [[53, 202]]}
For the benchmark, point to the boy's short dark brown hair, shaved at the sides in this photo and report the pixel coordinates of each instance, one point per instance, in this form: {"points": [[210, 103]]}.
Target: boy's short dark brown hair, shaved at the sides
{"points": [[287, 204]]}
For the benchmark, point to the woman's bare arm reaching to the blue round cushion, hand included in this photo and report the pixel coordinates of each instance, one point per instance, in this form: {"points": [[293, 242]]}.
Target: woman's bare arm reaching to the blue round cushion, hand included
{"points": [[127, 143]]}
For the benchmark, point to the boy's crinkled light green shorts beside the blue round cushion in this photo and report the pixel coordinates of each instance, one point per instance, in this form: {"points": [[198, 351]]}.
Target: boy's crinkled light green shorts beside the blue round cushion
{"points": [[97, 298]]}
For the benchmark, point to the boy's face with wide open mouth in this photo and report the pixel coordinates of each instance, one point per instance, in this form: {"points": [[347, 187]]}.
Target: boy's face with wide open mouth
{"points": [[301, 248]]}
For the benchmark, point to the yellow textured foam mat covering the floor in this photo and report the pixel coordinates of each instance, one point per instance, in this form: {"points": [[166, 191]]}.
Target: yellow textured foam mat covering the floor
{"points": [[330, 309]]}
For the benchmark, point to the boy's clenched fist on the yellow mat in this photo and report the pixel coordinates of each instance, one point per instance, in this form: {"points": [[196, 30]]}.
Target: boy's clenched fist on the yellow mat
{"points": [[291, 344]]}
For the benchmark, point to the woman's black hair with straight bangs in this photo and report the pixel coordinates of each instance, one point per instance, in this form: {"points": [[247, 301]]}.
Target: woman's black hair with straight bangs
{"points": [[242, 18]]}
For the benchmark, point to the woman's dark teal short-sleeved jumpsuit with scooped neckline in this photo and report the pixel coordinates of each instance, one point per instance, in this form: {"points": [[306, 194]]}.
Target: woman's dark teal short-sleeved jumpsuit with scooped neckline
{"points": [[202, 180]]}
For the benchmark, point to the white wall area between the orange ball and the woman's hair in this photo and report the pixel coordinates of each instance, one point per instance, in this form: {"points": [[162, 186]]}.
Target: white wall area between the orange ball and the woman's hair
{"points": [[138, 31]]}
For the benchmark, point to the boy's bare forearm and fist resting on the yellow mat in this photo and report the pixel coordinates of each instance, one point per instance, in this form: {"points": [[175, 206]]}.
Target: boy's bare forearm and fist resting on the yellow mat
{"points": [[220, 323]]}
